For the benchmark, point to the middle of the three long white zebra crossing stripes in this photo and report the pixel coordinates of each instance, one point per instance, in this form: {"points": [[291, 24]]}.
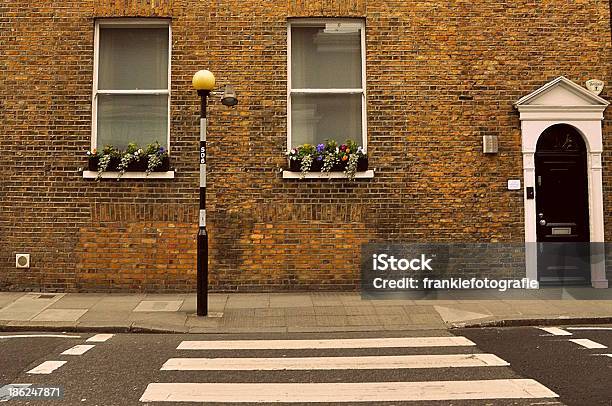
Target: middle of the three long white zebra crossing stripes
{"points": [[312, 363]]}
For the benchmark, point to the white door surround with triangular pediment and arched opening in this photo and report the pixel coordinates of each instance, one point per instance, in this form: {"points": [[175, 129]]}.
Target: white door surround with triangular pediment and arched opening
{"points": [[564, 102]]}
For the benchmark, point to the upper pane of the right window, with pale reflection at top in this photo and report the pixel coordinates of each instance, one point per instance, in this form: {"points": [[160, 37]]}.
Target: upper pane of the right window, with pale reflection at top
{"points": [[326, 57]]}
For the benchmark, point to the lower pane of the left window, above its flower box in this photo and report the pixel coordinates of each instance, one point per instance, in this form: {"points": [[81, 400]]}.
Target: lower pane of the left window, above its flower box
{"points": [[132, 118]]}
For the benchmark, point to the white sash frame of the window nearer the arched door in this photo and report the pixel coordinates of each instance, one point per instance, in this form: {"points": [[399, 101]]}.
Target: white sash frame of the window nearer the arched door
{"points": [[309, 22]]}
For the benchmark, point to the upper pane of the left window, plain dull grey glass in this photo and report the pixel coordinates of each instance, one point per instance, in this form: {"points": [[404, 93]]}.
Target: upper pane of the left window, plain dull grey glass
{"points": [[133, 58]]}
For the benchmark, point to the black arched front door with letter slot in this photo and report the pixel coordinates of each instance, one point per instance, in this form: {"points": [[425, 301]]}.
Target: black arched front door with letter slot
{"points": [[562, 210]]}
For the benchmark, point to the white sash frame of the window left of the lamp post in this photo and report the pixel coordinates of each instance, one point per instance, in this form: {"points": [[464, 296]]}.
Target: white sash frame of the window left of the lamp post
{"points": [[135, 23]]}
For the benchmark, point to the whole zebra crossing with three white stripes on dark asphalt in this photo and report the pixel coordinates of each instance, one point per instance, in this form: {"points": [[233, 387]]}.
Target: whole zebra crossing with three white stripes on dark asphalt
{"points": [[187, 378]]}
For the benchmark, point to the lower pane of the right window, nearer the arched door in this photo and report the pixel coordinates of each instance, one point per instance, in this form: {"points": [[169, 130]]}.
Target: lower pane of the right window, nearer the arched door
{"points": [[317, 117]]}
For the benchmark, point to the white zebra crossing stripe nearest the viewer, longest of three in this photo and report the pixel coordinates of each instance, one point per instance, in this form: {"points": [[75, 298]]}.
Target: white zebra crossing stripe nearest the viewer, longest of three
{"points": [[346, 392]]}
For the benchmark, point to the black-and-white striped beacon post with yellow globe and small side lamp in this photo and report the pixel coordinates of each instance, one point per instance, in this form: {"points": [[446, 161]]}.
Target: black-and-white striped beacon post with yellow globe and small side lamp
{"points": [[204, 82]]}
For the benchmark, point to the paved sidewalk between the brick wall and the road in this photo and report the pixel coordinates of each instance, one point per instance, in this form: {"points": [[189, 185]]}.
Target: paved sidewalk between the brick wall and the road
{"points": [[292, 312]]}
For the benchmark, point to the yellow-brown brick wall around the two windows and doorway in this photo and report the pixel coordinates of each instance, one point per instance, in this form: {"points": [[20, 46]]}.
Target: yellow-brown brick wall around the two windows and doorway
{"points": [[432, 182]]}
